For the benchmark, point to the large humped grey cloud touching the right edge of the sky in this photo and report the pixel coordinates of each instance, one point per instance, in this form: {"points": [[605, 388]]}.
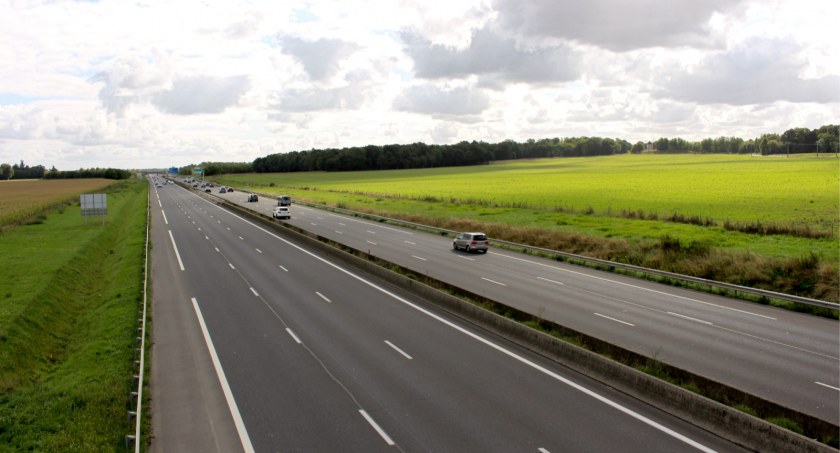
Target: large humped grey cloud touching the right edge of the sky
{"points": [[757, 71]]}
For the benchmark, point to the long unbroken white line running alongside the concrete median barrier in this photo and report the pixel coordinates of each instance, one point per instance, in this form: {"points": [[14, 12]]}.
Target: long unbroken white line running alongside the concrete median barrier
{"points": [[523, 360]]}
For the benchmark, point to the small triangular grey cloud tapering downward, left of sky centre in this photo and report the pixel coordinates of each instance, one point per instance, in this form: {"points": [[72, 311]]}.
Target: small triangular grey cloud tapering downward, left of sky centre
{"points": [[320, 58]]}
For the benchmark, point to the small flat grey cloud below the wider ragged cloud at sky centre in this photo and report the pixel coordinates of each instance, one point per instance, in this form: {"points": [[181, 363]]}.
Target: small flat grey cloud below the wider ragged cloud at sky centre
{"points": [[428, 99]]}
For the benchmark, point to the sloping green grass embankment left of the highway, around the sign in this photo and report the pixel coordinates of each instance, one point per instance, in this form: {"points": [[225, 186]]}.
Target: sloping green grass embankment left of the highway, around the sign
{"points": [[68, 313]]}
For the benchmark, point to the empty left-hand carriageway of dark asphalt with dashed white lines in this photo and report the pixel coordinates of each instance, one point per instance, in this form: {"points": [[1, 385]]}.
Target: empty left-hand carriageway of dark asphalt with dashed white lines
{"points": [[262, 345]]}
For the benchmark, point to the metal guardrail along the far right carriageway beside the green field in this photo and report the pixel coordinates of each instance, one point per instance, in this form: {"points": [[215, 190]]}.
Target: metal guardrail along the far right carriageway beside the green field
{"points": [[598, 262]]}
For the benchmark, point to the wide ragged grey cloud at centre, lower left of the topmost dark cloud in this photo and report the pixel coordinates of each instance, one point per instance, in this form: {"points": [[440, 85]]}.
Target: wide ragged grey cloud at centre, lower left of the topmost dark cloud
{"points": [[494, 58]]}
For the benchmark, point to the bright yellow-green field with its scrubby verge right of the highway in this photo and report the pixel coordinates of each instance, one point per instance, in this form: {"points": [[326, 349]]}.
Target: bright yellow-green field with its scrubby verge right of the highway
{"points": [[691, 214]]}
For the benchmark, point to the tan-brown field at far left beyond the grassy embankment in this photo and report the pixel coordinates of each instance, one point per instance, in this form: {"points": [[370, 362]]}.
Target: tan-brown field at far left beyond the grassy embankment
{"points": [[20, 199]]}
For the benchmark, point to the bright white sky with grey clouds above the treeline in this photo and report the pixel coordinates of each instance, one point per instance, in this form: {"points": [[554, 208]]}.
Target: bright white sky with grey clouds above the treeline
{"points": [[160, 83]]}
